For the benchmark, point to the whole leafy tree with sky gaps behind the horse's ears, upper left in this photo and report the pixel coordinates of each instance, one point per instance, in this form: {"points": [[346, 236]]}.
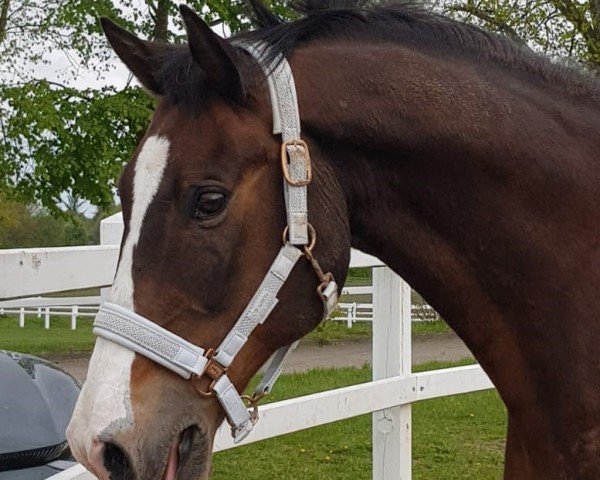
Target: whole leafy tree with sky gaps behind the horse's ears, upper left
{"points": [[57, 141]]}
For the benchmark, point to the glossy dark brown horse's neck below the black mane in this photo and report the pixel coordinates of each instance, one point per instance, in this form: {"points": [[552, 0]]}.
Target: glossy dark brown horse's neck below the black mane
{"points": [[480, 189]]}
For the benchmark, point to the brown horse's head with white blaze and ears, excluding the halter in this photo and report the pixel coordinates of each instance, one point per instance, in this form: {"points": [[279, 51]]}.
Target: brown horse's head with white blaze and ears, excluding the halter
{"points": [[204, 213]]}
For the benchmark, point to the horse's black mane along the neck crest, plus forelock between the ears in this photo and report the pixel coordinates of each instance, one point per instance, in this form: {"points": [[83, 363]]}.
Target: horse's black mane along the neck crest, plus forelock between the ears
{"points": [[403, 23]]}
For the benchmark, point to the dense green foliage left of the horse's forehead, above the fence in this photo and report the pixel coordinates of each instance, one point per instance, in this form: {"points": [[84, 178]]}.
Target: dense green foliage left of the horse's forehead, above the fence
{"points": [[62, 140]]}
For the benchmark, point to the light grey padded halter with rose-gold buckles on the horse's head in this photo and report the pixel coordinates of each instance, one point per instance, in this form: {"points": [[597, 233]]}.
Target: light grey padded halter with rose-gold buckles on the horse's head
{"points": [[191, 362]]}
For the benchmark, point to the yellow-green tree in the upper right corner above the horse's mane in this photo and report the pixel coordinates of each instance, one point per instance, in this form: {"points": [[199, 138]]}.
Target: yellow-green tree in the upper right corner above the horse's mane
{"points": [[563, 29]]}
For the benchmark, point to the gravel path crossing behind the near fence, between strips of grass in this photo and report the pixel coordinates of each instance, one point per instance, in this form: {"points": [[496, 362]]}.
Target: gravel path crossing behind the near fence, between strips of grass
{"points": [[426, 348]]}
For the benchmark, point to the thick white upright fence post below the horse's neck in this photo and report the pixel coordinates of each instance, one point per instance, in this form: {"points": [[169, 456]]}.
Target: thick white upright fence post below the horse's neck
{"points": [[392, 428]]}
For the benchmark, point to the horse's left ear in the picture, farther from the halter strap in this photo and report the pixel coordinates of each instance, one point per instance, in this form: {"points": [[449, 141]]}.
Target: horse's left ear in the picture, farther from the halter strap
{"points": [[143, 58]]}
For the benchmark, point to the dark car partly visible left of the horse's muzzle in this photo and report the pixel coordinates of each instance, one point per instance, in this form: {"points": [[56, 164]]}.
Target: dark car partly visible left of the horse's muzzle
{"points": [[36, 402]]}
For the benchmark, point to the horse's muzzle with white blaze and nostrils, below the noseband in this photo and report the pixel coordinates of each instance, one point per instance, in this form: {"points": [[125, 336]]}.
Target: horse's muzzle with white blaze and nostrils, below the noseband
{"points": [[141, 423]]}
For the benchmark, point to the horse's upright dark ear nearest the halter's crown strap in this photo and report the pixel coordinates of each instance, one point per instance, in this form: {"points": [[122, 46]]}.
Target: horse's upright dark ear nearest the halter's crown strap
{"points": [[213, 55]]}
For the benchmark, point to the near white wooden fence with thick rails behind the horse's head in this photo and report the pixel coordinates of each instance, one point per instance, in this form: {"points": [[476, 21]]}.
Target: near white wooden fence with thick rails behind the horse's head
{"points": [[388, 397]]}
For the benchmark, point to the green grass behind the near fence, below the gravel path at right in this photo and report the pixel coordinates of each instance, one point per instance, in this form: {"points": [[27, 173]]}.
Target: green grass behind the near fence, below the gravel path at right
{"points": [[459, 437]]}
